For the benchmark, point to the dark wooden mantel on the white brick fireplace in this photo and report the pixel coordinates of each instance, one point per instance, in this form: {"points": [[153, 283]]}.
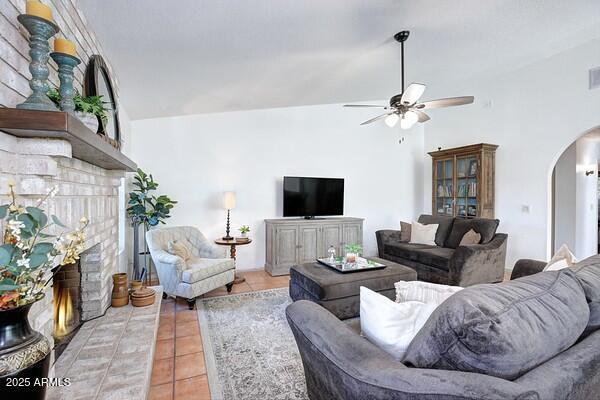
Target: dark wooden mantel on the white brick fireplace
{"points": [[86, 145]]}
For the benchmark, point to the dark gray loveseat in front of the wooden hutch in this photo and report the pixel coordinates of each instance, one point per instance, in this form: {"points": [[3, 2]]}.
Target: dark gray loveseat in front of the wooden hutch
{"points": [[447, 262]]}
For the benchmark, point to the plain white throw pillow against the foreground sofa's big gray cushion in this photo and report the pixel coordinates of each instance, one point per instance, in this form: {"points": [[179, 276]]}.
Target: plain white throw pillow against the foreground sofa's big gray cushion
{"points": [[391, 326]]}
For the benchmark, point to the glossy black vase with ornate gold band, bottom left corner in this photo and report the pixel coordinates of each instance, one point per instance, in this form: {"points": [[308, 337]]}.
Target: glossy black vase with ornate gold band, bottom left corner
{"points": [[24, 356]]}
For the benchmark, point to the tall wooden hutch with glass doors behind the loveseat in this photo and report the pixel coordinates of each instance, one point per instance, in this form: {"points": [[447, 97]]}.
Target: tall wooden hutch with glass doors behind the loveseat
{"points": [[463, 181]]}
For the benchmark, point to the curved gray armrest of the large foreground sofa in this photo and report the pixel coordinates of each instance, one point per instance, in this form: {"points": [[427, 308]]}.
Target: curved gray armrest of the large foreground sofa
{"points": [[339, 364]]}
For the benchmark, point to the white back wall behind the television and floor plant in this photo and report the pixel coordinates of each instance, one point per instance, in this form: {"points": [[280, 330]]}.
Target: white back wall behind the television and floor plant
{"points": [[196, 158]]}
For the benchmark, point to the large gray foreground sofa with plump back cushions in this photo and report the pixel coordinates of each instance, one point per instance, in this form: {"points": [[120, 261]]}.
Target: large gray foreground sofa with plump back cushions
{"points": [[340, 364]]}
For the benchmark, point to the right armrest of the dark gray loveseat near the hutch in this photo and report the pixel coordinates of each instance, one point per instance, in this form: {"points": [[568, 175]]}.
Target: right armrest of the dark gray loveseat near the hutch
{"points": [[480, 263]]}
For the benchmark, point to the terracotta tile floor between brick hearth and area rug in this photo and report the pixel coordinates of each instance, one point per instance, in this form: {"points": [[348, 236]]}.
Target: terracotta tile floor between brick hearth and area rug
{"points": [[179, 372]]}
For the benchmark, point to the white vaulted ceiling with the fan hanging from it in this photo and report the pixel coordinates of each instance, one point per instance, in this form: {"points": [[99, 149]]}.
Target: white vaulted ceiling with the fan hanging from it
{"points": [[200, 56]]}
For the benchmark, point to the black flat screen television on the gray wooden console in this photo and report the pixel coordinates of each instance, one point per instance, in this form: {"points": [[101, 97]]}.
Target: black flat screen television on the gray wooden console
{"points": [[312, 197]]}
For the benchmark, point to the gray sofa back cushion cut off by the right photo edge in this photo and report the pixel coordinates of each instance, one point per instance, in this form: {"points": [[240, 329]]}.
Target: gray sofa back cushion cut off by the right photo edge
{"points": [[588, 273]]}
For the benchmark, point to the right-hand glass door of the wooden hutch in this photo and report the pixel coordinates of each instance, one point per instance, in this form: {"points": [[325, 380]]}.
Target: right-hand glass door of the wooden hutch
{"points": [[466, 187]]}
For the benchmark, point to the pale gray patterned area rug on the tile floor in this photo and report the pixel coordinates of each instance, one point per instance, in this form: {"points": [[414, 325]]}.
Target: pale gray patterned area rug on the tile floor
{"points": [[249, 349]]}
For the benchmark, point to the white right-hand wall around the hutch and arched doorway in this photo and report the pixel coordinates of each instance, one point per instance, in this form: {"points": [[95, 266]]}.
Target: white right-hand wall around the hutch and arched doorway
{"points": [[533, 114]]}
